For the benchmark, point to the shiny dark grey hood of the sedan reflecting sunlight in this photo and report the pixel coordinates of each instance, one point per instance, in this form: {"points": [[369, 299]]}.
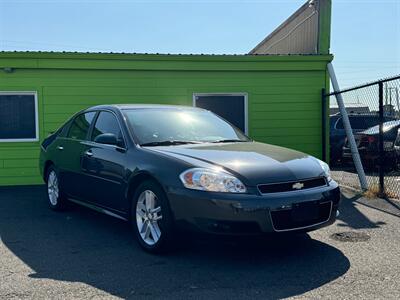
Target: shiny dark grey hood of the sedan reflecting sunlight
{"points": [[253, 162]]}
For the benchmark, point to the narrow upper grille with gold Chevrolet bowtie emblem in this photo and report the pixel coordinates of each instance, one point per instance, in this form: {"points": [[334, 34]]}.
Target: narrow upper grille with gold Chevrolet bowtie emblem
{"points": [[291, 186]]}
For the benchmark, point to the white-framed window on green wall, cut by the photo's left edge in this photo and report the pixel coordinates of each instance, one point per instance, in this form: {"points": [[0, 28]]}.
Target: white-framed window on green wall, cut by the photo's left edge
{"points": [[18, 117]]}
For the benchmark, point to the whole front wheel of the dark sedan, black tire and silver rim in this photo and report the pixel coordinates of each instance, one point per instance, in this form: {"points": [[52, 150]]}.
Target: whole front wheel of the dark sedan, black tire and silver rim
{"points": [[151, 218]]}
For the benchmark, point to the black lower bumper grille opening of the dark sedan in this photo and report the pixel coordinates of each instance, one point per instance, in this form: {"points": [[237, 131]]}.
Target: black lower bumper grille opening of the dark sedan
{"points": [[301, 215]]}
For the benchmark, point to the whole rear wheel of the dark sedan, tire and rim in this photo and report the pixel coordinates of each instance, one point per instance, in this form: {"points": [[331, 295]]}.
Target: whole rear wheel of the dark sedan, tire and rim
{"points": [[55, 197]]}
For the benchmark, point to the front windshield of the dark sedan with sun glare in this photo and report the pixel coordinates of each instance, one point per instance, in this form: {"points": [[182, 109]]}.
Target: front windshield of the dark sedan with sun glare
{"points": [[168, 126]]}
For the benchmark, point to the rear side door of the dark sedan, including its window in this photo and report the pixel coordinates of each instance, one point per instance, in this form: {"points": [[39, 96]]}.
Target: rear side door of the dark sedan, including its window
{"points": [[68, 157]]}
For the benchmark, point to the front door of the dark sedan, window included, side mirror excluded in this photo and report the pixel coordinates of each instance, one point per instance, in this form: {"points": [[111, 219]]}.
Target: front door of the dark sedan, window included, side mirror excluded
{"points": [[104, 165]]}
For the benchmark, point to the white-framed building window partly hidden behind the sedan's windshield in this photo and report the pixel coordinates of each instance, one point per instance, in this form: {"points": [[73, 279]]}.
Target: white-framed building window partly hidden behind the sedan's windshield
{"points": [[231, 106]]}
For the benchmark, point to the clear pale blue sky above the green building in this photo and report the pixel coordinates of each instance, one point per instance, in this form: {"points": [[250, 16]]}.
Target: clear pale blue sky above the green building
{"points": [[365, 34]]}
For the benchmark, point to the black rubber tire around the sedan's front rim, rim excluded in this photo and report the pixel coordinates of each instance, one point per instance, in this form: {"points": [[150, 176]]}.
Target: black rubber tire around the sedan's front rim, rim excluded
{"points": [[165, 224]]}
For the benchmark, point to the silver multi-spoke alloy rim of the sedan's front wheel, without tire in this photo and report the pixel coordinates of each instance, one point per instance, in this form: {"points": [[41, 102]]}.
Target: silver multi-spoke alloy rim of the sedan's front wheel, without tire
{"points": [[148, 215]]}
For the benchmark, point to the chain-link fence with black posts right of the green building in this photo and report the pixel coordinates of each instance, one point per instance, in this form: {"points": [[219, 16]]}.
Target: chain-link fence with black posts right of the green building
{"points": [[374, 114]]}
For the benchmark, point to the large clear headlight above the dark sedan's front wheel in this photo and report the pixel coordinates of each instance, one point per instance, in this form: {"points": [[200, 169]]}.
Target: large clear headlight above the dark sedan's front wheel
{"points": [[212, 181]]}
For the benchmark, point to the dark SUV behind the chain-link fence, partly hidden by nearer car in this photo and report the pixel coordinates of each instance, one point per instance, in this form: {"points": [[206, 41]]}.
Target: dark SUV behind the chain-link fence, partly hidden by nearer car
{"points": [[358, 122]]}
